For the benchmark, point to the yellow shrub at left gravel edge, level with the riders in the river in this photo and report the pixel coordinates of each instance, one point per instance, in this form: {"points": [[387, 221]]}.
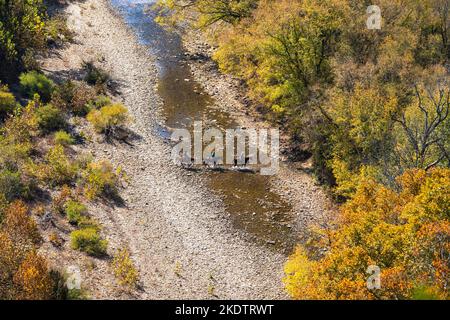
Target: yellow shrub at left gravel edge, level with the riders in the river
{"points": [[101, 178]]}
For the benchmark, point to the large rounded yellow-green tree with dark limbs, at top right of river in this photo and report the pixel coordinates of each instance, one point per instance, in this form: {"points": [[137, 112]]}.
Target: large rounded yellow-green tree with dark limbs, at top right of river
{"points": [[283, 52]]}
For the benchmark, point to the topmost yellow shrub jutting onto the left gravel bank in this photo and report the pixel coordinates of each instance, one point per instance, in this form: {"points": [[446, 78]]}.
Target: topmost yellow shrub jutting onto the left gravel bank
{"points": [[108, 118]]}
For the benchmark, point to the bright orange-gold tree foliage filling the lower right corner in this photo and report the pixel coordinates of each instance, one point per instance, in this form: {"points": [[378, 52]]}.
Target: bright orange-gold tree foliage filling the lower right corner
{"points": [[406, 233]]}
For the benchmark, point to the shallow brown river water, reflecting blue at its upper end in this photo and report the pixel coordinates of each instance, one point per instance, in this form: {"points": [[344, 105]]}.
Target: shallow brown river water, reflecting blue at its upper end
{"points": [[262, 214]]}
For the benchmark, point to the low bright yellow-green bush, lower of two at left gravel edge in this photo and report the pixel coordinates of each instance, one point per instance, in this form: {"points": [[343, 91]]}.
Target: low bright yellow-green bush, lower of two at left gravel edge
{"points": [[89, 241]]}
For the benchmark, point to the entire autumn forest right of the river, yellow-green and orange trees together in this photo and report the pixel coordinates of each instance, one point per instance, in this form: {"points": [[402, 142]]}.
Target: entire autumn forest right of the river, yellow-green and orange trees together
{"points": [[372, 108]]}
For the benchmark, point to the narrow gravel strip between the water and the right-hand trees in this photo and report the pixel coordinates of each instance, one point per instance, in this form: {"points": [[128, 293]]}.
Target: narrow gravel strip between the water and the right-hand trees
{"points": [[310, 202]]}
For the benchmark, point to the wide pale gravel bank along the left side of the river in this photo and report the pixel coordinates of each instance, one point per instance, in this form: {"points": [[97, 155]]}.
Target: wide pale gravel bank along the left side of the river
{"points": [[178, 231]]}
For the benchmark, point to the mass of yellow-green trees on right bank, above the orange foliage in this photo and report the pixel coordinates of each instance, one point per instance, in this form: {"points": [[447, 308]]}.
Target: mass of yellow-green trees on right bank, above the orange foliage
{"points": [[339, 88]]}
